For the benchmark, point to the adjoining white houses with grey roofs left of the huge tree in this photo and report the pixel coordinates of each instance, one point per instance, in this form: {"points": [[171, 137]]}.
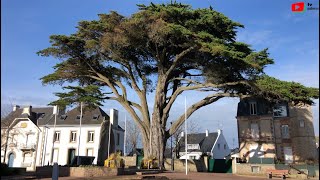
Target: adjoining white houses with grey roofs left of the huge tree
{"points": [[38, 137]]}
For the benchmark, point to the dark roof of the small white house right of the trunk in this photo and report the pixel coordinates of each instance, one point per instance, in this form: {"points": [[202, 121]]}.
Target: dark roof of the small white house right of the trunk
{"points": [[206, 143]]}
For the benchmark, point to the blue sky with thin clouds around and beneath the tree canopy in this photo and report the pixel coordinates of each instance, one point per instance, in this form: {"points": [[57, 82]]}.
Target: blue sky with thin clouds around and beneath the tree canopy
{"points": [[292, 39]]}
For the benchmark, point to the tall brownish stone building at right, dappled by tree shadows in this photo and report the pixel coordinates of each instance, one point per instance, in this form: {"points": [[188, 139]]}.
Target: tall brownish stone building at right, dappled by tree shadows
{"points": [[279, 131]]}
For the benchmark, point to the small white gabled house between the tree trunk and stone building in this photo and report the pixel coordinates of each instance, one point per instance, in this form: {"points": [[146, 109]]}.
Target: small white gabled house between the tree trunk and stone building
{"points": [[211, 144]]}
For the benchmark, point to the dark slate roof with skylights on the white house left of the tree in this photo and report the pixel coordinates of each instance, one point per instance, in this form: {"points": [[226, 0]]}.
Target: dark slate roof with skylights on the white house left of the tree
{"points": [[70, 118]]}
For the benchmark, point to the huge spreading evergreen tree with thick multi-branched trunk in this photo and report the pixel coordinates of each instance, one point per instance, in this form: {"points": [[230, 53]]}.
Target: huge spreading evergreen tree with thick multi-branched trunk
{"points": [[167, 49]]}
